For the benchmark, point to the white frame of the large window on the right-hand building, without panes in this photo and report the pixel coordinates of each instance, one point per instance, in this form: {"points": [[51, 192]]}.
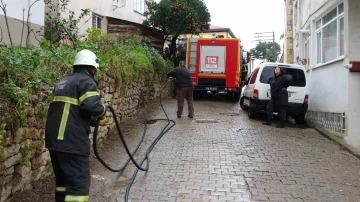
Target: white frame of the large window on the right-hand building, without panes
{"points": [[319, 30]]}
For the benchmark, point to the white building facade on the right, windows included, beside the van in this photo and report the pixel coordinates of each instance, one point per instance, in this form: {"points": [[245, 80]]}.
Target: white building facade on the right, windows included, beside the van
{"points": [[325, 37]]}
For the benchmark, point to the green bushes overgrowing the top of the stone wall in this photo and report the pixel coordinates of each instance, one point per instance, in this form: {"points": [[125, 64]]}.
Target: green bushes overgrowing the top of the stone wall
{"points": [[24, 71]]}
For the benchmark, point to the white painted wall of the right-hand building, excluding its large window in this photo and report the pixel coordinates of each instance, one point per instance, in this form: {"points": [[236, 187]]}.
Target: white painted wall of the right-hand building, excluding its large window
{"points": [[332, 88]]}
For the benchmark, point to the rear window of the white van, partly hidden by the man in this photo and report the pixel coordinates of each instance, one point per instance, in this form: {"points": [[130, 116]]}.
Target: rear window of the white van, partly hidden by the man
{"points": [[296, 76]]}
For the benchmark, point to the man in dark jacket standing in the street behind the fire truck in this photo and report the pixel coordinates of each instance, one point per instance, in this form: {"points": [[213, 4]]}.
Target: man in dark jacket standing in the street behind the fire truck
{"points": [[185, 88]]}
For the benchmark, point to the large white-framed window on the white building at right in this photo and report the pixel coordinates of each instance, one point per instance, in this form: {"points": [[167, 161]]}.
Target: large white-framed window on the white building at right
{"points": [[330, 35]]}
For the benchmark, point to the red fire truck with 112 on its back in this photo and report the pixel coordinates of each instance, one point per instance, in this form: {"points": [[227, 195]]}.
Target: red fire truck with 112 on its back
{"points": [[214, 64]]}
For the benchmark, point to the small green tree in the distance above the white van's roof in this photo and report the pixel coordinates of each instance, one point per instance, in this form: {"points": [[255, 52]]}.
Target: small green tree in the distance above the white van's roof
{"points": [[266, 50]]}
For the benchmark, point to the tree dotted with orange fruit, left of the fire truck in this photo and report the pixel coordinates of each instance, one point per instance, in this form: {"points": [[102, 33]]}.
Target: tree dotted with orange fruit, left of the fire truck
{"points": [[176, 17]]}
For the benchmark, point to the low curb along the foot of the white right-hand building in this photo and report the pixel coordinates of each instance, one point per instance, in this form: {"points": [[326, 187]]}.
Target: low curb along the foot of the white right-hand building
{"points": [[351, 149]]}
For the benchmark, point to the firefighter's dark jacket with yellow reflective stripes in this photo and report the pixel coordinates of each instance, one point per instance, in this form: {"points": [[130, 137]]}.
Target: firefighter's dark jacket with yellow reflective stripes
{"points": [[74, 104]]}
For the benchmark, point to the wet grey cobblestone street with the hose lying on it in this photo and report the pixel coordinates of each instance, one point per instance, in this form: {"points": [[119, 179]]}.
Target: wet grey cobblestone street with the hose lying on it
{"points": [[235, 159]]}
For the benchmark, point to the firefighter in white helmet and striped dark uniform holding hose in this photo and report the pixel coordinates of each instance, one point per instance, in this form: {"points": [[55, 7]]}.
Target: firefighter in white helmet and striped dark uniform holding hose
{"points": [[75, 106]]}
